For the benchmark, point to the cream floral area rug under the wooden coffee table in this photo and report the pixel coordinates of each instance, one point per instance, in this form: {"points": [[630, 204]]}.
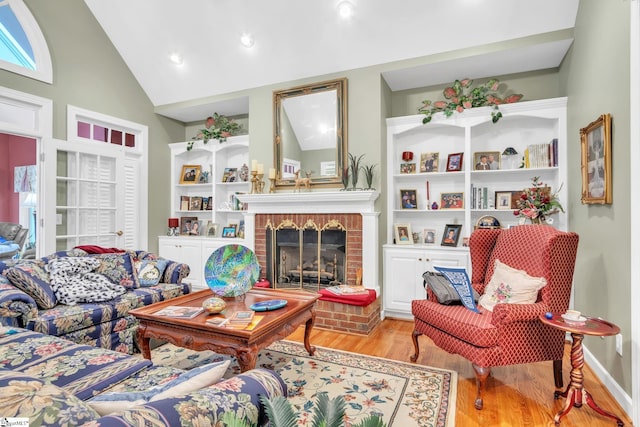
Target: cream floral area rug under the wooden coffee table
{"points": [[404, 394]]}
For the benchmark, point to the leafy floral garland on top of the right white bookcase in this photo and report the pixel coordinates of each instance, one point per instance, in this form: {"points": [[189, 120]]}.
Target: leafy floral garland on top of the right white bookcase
{"points": [[460, 96]]}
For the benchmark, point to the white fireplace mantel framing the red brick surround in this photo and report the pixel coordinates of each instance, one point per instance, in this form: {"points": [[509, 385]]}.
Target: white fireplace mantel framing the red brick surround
{"points": [[337, 202]]}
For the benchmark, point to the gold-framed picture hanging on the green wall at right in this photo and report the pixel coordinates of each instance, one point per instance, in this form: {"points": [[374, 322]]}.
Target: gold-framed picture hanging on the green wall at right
{"points": [[595, 142]]}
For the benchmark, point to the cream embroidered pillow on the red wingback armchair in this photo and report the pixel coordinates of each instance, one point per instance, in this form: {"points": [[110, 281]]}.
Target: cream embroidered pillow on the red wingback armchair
{"points": [[508, 285]]}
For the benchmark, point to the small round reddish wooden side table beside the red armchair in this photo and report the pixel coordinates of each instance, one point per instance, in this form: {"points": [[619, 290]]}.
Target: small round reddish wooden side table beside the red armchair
{"points": [[575, 392]]}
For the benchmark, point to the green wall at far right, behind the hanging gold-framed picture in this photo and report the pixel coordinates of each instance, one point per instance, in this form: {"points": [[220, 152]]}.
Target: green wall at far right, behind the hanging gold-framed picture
{"points": [[595, 77]]}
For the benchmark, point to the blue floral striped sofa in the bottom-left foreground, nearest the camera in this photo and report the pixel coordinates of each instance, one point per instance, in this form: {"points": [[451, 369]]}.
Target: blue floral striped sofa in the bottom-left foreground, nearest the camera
{"points": [[55, 382]]}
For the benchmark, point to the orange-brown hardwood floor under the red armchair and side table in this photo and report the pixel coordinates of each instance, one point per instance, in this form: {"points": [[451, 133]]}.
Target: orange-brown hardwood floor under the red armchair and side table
{"points": [[520, 395]]}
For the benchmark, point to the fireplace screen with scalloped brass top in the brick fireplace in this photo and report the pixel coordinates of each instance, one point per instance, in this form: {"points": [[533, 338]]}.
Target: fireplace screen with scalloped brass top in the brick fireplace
{"points": [[309, 258]]}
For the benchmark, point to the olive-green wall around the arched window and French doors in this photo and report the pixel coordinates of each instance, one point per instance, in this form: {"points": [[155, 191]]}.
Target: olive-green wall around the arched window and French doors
{"points": [[89, 73]]}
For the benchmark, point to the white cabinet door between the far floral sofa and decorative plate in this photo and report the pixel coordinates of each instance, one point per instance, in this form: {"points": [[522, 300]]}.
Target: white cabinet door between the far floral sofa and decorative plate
{"points": [[185, 250]]}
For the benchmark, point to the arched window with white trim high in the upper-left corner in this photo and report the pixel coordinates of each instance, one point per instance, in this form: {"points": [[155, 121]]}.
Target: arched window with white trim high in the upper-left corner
{"points": [[23, 49]]}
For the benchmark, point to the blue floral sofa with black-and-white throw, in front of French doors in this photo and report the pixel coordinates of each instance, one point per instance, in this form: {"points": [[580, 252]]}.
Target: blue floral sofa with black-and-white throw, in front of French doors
{"points": [[43, 294]]}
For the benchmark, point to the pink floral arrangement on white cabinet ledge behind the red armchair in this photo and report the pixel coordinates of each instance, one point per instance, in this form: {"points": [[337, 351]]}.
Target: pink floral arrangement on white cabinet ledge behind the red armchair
{"points": [[537, 203]]}
